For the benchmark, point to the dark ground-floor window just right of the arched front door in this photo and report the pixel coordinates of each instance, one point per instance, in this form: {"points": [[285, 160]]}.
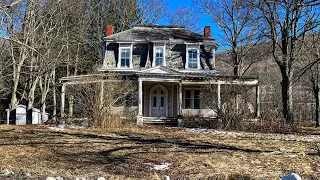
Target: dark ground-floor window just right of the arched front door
{"points": [[192, 99]]}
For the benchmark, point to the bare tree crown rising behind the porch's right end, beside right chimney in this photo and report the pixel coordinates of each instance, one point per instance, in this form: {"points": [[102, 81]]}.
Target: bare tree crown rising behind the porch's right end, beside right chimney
{"points": [[239, 25]]}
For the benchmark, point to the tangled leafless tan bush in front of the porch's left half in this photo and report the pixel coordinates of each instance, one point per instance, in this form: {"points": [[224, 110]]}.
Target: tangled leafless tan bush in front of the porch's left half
{"points": [[104, 102]]}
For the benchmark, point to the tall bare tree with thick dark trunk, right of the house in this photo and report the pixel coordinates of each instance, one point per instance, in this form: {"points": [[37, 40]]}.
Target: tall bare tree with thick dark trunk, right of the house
{"points": [[287, 23]]}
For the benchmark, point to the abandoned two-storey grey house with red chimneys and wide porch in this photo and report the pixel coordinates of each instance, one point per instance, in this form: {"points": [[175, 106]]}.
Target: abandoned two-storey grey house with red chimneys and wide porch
{"points": [[173, 69]]}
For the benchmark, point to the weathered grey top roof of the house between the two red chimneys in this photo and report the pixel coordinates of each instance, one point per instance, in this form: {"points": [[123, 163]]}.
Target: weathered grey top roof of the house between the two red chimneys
{"points": [[160, 34]]}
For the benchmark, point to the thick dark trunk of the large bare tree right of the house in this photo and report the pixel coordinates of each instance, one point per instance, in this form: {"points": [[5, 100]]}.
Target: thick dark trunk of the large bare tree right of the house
{"points": [[286, 89]]}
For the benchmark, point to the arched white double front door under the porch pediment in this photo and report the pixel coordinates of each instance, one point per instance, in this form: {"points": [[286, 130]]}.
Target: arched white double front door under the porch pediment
{"points": [[158, 102]]}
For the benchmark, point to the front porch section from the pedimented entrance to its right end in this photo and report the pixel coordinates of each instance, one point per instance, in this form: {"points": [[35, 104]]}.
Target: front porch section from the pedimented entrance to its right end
{"points": [[164, 98]]}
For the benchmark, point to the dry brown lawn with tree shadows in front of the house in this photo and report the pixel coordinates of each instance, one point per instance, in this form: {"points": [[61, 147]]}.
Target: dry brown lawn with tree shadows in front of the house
{"points": [[130, 153]]}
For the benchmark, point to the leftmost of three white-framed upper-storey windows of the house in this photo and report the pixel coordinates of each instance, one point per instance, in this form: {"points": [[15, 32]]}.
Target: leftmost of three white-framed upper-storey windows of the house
{"points": [[125, 56]]}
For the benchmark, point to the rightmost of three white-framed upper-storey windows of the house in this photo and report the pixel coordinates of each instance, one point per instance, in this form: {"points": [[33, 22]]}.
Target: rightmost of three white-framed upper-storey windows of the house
{"points": [[193, 57]]}
